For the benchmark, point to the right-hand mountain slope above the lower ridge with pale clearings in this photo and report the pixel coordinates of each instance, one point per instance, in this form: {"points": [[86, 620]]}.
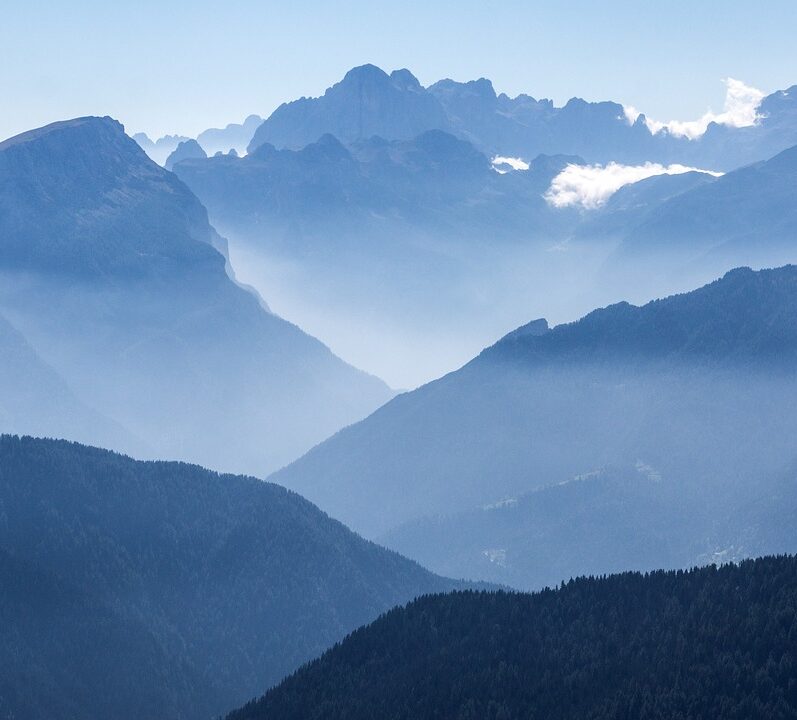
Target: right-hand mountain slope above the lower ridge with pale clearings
{"points": [[698, 386]]}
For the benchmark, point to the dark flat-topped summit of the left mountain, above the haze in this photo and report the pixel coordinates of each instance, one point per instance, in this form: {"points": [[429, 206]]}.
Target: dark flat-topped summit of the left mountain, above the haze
{"points": [[106, 175]]}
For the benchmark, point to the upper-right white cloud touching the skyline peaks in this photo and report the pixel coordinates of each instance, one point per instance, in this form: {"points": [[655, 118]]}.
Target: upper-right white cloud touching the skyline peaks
{"points": [[741, 110]]}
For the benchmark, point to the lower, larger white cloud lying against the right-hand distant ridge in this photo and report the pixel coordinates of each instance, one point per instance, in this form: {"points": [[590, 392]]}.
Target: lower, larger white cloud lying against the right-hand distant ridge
{"points": [[590, 186]]}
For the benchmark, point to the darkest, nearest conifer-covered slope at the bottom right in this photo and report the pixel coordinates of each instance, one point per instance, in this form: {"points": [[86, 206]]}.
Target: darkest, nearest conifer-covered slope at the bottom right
{"points": [[716, 642]]}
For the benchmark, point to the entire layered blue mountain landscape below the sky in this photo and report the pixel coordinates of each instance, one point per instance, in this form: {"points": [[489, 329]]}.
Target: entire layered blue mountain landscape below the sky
{"points": [[148, 295]]}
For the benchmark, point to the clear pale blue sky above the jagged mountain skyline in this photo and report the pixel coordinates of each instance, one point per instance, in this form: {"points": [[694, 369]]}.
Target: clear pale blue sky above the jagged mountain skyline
{"points": [[182, 66]]}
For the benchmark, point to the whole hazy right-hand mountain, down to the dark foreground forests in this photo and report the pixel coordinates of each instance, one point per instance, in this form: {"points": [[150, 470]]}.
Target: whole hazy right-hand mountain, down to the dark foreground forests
{"points": [[696, 390]]}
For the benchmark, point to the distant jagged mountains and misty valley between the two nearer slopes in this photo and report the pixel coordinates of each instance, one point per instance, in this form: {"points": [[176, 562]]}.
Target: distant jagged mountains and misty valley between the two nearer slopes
{"points": [[382, 246]]}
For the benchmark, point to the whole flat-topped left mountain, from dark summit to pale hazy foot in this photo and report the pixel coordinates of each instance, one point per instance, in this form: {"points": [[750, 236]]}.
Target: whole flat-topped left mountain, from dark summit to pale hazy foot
{"points": [[114, 276]]}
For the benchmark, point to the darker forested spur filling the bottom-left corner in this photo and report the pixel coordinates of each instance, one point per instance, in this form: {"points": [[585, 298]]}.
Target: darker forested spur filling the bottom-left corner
{"points": [[67, 654]]}
